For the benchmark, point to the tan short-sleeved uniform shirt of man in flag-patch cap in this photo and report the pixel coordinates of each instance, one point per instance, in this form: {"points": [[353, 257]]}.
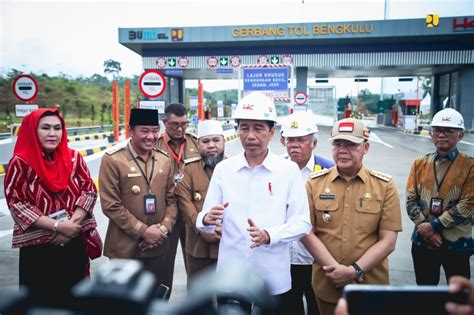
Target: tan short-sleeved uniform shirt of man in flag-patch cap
{"points": [[358, 210]]}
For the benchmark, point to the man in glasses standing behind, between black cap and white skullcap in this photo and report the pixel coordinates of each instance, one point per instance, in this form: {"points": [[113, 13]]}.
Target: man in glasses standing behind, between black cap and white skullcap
{"points": [[180, 146]]}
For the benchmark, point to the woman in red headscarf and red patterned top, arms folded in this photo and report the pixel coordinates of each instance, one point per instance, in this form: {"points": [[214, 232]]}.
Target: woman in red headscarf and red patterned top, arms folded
{"points": [[51, 196]]}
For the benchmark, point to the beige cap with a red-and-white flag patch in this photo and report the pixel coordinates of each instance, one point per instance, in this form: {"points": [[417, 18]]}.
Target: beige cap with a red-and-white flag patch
{"points": [[350, 129]]}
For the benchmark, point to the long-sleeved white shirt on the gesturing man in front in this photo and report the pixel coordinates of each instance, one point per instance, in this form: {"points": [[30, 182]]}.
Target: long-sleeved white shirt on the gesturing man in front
{"points": [[274, 197]]}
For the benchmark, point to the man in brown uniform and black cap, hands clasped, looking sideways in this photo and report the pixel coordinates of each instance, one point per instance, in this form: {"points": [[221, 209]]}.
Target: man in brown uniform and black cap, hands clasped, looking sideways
{"points": [[137, 195]]}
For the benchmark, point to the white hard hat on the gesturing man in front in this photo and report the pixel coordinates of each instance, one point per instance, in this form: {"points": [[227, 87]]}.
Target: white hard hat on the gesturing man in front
{"points": [[256, 106]]}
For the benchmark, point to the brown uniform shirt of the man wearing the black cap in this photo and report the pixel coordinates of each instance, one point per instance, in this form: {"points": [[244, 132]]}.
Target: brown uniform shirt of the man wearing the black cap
{"points": [[122, 191]]}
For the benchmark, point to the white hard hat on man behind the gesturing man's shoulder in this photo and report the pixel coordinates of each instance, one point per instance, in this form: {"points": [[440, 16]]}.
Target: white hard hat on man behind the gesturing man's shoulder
{"points": [[299, 124]]}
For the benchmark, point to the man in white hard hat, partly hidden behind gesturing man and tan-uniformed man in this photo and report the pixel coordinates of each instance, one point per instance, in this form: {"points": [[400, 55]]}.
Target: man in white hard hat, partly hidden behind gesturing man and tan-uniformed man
{"points": [[300, 136]]}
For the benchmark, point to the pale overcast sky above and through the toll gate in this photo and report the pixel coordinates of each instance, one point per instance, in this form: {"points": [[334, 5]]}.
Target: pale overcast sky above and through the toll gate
{"points": [[76, 37]]}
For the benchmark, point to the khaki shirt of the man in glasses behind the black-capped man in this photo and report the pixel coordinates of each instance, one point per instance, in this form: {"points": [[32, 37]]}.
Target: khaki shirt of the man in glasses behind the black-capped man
{"points": [[190, 149]]}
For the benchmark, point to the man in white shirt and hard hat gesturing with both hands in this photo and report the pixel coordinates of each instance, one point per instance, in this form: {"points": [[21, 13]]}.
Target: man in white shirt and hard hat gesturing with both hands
{"points": [[259, 199]]}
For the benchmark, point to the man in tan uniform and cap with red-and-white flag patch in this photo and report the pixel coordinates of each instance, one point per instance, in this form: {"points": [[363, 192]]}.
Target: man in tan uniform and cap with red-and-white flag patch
{"points": [[355, 214]]}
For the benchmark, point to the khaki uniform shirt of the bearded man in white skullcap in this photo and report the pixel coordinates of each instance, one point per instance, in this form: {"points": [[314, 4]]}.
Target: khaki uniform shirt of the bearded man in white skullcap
{"points": [[190, 193]]}
